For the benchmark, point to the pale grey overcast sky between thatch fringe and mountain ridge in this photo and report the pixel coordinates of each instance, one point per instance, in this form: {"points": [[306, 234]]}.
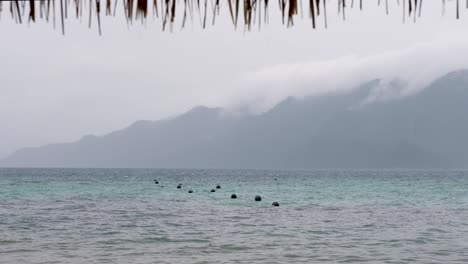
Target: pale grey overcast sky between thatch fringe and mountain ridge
{"points": [[58, 88]]}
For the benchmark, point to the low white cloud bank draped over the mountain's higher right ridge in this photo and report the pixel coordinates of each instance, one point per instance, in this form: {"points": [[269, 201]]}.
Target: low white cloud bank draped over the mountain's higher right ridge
{"points": [[401, 73]]}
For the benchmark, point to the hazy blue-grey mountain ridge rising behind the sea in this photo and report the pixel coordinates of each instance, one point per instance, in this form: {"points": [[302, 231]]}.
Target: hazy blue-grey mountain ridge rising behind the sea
{"points": [[425, 130]]}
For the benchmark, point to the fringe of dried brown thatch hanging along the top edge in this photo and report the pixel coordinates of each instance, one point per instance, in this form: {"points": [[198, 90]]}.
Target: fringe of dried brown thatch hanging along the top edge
{"points": [[288, 9]]}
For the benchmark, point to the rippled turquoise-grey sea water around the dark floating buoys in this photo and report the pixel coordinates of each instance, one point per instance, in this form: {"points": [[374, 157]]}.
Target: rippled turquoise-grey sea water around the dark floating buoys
{"points": [[325, 216]]}
